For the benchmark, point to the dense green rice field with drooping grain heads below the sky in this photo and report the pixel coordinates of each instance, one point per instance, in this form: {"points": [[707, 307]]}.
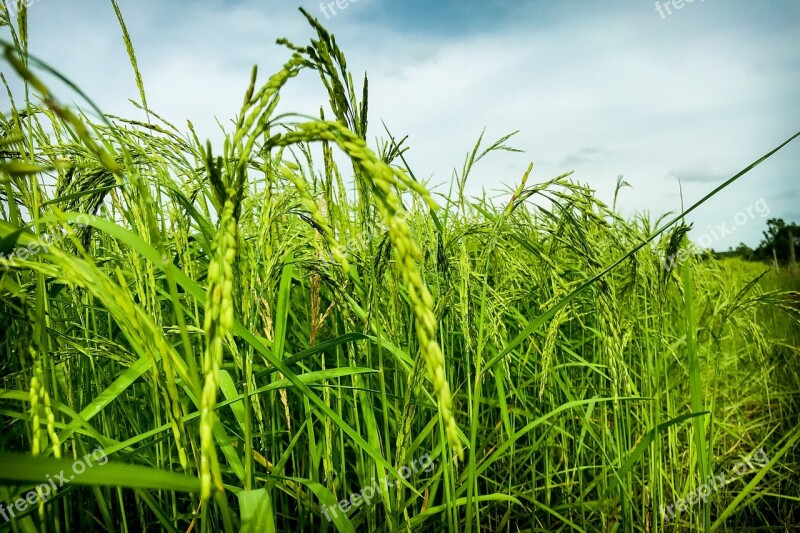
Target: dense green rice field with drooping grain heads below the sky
{"points": [[256, 338]]}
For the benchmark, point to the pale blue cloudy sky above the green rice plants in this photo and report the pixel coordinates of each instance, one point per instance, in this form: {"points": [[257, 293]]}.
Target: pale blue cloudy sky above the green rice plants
{"points": [[676, 100]]}
